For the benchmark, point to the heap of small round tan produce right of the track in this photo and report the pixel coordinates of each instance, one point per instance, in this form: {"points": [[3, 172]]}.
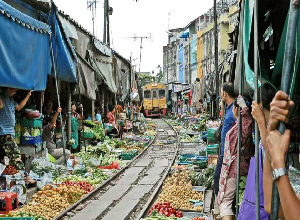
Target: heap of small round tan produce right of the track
{"points": [[178, 192]]}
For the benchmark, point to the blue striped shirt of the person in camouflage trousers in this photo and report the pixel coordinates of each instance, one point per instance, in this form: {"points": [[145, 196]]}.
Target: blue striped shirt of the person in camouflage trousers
{"points": [[7, 116]]}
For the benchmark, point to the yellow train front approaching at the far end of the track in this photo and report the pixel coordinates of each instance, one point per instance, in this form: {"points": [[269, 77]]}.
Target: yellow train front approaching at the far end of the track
{"points": [[155, 99]]}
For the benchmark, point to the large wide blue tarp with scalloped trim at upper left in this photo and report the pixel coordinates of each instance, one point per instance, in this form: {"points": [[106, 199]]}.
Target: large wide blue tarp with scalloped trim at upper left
{"points": [[24, 50]]}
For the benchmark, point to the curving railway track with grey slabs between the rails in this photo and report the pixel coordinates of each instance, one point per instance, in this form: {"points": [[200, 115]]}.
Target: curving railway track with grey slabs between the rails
{"points": [[130, 192]]}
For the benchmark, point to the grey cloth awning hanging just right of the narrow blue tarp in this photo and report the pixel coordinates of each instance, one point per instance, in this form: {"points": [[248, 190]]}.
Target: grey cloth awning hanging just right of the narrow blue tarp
{"points": [[86, 79]]}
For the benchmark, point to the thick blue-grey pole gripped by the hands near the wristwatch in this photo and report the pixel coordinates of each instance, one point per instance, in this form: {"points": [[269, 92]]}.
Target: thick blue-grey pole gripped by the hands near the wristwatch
{"points": [[285, 84]]}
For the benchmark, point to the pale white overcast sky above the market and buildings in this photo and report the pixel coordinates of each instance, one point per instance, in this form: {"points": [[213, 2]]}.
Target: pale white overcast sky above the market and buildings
{"points": [[142, 18]]}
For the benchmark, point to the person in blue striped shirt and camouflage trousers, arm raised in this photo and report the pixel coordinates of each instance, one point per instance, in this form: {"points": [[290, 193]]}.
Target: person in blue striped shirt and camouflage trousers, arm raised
{"points": [[8, 146]]}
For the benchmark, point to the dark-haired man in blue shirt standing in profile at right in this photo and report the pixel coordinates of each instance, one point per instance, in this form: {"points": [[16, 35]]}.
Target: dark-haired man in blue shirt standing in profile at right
{"points": [[227, 94]]}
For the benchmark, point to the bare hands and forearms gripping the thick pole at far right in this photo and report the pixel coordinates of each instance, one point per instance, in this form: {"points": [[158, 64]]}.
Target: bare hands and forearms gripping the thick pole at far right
{"points": [[276, 148]]}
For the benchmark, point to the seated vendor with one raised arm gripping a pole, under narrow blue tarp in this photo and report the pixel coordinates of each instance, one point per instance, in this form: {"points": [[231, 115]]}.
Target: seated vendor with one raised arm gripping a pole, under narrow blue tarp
{"points": [[48, 137]]}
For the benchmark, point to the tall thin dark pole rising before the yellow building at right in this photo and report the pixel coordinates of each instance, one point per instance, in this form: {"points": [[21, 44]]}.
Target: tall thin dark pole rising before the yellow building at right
{"points": [[216, 56]]}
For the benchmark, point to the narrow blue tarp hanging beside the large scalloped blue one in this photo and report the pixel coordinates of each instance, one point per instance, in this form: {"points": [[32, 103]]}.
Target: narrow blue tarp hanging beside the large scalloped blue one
{"points": [[64, 54]]}
